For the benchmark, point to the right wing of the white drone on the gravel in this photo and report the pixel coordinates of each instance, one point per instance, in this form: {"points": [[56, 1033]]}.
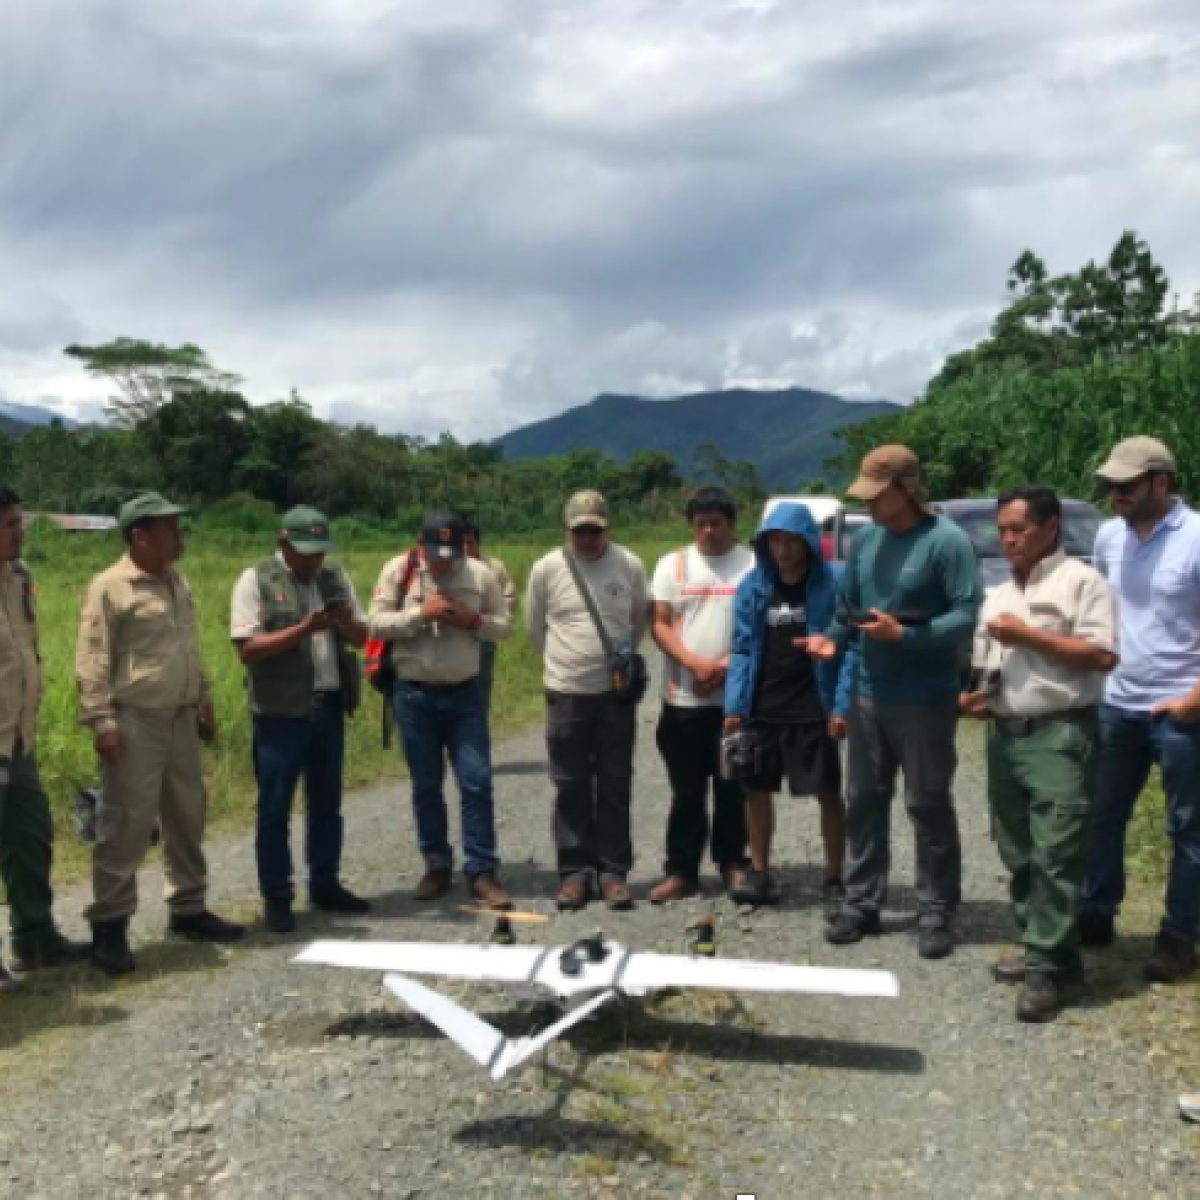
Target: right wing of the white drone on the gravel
{"points": [[647, 973]]}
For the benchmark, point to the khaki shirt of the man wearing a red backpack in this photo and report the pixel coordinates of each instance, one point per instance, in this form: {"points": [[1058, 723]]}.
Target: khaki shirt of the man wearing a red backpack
{"points": [[429, 652]]}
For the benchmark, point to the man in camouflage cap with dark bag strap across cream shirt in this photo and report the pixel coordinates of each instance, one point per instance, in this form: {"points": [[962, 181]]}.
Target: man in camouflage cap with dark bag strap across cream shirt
{"points": [[590, 729]]}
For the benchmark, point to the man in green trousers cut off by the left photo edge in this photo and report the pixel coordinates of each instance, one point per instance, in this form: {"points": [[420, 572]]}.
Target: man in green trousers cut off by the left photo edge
{"points": [[26, 827]]}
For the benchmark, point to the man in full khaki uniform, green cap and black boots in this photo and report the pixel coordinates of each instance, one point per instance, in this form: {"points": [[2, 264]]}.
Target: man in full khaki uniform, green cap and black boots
{"points": [[143, 695]]}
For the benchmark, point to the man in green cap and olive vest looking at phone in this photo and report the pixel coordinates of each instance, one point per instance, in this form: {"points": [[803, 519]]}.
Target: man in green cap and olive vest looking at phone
{"points": [[293, 620]]}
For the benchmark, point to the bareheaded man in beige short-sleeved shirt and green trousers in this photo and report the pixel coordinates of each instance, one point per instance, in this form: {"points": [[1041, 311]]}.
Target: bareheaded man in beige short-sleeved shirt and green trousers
{"points": [[1045, 644]]}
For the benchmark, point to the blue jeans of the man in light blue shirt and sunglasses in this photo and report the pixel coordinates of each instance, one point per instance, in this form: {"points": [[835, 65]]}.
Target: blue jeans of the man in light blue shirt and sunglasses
{"points": [[1131, 743]]}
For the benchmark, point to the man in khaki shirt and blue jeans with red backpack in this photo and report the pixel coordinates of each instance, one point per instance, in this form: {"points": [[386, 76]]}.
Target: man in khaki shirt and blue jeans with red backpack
{"points": [[437, 610]]}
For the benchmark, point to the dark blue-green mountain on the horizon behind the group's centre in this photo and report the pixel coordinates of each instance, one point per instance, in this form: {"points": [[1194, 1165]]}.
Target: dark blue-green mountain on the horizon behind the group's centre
{"points": [[787, 435]]}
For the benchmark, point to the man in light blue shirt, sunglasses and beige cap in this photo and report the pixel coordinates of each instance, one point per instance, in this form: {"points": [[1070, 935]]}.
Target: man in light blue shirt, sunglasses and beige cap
{"points": [[1150, 555]]}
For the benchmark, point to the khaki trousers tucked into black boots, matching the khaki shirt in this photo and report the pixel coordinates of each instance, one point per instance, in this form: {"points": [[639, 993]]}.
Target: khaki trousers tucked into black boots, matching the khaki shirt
{"points": [[158, 778]]}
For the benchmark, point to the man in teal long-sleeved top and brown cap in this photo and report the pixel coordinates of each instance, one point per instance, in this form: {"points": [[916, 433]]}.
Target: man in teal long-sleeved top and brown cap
{"points": [[910, 596]]}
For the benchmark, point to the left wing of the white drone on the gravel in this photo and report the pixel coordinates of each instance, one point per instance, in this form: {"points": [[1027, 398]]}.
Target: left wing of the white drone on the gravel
{"points": [[499, 964]]}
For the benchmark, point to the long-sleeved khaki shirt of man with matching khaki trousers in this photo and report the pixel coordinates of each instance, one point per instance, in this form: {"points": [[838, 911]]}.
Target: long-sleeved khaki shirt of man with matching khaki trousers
{"points": [[139, 646]]}
